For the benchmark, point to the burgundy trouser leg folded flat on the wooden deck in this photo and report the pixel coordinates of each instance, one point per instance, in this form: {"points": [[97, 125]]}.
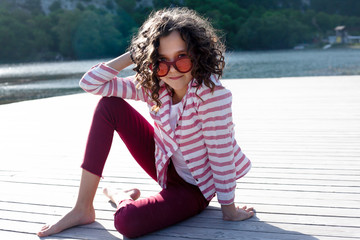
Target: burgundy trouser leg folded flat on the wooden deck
{"points": [[178, 202]]}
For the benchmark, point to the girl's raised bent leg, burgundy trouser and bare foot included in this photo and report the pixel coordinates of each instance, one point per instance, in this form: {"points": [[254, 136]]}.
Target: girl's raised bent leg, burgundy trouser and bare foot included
{"points": [[111, 114]]}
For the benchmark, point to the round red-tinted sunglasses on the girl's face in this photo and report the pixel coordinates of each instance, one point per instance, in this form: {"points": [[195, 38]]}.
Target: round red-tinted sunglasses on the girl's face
{"points": [[182, 64]]}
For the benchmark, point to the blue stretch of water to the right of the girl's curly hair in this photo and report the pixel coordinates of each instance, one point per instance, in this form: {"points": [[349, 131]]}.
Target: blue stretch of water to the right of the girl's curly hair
{"points": [[293, 63]]}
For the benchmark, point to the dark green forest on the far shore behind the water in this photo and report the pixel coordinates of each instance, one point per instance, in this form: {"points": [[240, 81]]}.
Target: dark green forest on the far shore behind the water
{"points": [[91, 31]]}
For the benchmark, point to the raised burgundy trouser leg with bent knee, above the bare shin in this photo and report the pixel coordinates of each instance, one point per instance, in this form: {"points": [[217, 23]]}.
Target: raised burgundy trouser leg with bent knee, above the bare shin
{"points": [[135, 131]]}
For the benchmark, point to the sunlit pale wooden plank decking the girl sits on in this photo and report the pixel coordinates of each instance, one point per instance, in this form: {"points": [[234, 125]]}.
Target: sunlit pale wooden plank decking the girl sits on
{"points": [[302, 135]]}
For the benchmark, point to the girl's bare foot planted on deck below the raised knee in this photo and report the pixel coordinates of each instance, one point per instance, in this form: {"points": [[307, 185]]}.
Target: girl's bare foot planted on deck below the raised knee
{"points": [[75, 217]]}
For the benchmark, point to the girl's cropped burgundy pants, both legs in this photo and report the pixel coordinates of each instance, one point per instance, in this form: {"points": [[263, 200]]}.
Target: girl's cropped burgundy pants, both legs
{"points": [[179, 201]]}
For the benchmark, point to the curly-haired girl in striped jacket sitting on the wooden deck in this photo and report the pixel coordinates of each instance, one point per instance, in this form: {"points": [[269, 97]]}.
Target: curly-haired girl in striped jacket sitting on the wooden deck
{"points": [[191, 152]]}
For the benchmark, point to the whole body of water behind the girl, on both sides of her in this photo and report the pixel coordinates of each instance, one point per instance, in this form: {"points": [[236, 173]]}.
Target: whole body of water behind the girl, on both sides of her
{"points": [[20, 82]]}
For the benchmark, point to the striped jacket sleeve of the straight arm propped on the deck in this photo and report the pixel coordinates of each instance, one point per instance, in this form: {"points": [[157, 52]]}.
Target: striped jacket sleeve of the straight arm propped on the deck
{"points": [[216, 116]]}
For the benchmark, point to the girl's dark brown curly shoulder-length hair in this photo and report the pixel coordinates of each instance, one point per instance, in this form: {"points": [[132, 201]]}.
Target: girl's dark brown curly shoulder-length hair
{"points": [[204, 47]]}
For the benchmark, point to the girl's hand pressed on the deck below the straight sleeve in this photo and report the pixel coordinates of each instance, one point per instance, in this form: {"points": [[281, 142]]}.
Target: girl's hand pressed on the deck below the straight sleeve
{"points": [[232, 213]]}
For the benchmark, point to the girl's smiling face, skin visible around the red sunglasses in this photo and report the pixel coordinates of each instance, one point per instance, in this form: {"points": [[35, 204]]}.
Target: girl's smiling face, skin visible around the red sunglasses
{"points": [[171, 48]]}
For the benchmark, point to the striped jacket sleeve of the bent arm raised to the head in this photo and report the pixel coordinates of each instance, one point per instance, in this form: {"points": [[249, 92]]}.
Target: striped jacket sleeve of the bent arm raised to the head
{"points": [[102, 80]]}
